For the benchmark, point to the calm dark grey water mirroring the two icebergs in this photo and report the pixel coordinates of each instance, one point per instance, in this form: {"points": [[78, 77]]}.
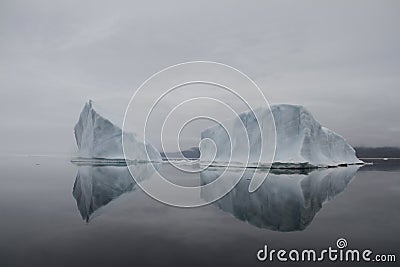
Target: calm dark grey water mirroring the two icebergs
{"points": [[54, 213]]}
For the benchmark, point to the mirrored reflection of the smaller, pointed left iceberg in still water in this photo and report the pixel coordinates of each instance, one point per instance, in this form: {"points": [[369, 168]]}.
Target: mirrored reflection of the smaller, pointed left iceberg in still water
{"points": [[96, 185]]}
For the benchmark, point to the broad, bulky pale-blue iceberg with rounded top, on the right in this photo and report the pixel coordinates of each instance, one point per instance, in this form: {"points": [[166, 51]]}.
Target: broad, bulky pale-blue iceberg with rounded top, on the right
{"points": [[300, 140]]}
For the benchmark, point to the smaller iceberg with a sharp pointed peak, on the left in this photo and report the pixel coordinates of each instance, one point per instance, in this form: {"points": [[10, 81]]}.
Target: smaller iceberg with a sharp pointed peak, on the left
{"points": [[98, 137]]}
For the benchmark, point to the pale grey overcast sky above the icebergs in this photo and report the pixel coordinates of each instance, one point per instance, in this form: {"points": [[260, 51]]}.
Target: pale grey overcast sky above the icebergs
{"points": [[340, 59]]}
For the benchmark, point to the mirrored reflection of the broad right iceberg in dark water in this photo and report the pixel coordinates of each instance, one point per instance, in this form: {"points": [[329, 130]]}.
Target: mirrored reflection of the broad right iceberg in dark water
{"points": [[285, 201]]}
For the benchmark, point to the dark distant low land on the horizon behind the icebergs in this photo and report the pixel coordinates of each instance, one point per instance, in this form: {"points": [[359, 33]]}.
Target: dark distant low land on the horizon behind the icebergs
{"points": [[362, 152]]}
